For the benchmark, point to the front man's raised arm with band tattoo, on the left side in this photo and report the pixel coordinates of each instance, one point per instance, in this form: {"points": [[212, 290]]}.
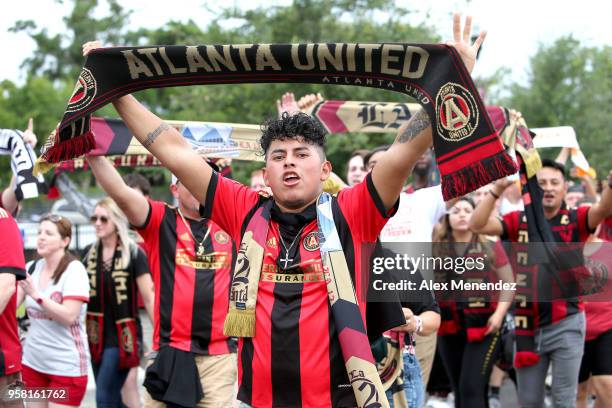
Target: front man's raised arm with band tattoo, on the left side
{"points": [[163, 141]]}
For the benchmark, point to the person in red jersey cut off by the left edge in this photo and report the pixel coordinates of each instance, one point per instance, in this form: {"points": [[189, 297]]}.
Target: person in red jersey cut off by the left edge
{"points": [[12, 268]]}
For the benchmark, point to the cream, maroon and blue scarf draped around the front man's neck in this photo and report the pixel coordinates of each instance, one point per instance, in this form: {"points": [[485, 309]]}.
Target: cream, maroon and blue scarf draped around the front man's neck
{"points": [[354, 343]]}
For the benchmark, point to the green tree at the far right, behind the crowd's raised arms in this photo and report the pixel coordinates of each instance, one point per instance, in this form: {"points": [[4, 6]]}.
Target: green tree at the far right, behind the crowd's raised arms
{"points": [[570, 85]]}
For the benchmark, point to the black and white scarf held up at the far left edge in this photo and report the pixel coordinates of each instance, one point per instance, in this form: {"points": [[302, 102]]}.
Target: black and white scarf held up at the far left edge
{"points": [[22, 164]]}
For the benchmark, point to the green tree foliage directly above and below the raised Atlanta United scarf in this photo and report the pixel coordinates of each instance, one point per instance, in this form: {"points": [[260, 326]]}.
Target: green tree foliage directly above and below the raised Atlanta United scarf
{"points": [[301, 21]]}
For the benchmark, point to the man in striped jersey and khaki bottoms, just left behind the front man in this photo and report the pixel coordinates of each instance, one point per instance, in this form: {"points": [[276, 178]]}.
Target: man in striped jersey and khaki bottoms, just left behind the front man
{"points": [[191, 260]]}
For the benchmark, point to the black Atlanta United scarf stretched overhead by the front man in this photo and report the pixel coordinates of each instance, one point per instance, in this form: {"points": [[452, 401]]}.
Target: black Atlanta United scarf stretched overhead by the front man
{"points": [[468, 151]]}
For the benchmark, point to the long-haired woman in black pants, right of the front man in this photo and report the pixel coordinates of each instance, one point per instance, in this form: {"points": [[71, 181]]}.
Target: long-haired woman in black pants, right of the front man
{"points": [[469, 336]]}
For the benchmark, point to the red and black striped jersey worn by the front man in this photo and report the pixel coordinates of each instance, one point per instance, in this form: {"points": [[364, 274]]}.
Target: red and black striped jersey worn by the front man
{"points": [[295, 359]]}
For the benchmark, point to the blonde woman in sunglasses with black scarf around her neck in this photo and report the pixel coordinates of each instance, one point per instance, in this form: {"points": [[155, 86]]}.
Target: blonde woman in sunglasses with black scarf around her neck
{"points": [[117, 268]]}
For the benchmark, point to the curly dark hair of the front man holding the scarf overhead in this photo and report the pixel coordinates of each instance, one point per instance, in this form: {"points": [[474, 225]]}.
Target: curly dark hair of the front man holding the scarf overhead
{"points": [[295, 126]]}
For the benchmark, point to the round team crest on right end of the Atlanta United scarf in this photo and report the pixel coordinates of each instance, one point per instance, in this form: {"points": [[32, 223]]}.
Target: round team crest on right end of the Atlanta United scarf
{"points": [[456, 111]]}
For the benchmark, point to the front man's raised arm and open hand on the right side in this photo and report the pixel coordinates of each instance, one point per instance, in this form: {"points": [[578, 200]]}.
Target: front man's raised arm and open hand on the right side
{"points": [[413, 138]]}
